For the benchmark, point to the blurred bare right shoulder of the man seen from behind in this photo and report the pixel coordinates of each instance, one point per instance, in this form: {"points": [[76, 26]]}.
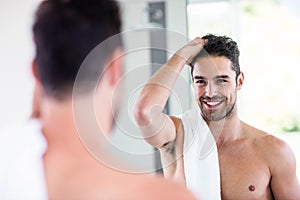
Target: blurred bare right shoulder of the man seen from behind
{"points": [[120, 185]]}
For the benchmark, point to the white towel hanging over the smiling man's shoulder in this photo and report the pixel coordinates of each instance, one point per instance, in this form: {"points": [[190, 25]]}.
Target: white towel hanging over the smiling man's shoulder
{"points": [[201, 163]]}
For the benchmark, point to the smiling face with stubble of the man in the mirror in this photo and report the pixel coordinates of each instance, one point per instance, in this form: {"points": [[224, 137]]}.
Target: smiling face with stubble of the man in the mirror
{"points": [[215, 87]]}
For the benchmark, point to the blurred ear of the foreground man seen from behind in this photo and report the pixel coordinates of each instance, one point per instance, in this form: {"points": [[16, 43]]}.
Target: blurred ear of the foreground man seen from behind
{"points": [[114, 70]]}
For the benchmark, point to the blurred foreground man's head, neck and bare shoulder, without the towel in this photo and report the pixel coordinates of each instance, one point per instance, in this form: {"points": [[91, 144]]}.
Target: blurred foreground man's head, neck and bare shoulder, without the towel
{"points": [[77, 67]]}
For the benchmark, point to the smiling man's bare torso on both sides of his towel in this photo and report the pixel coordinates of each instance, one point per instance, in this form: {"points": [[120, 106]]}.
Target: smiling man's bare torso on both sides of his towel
{"points": [[244, 169]]}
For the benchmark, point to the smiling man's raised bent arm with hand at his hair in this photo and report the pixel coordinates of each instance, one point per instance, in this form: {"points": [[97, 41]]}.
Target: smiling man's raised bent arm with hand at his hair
{"points": [[158, 128]]}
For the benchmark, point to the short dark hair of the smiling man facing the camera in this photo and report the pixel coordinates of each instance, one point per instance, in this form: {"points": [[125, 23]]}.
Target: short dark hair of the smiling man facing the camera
{"points": [[220, 46]]}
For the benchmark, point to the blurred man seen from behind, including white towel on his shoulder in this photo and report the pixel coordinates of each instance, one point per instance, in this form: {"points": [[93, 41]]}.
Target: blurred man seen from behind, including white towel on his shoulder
{"points": [[47, 159]]}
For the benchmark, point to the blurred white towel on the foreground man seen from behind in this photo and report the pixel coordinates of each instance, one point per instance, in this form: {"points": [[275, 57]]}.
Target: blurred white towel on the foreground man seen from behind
{"points": [[21, 154]]}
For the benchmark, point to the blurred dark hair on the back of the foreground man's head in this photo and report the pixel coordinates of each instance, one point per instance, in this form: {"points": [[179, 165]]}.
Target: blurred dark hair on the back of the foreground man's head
{"points": [[65, 32]]}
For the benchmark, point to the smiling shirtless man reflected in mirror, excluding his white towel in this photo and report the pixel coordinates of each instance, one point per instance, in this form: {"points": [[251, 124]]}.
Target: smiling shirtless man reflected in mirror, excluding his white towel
{"points": [[253, 164]]}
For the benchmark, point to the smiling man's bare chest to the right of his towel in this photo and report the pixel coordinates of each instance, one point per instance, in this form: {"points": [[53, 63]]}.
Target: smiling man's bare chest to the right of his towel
{"points": [[244, 173]]}
